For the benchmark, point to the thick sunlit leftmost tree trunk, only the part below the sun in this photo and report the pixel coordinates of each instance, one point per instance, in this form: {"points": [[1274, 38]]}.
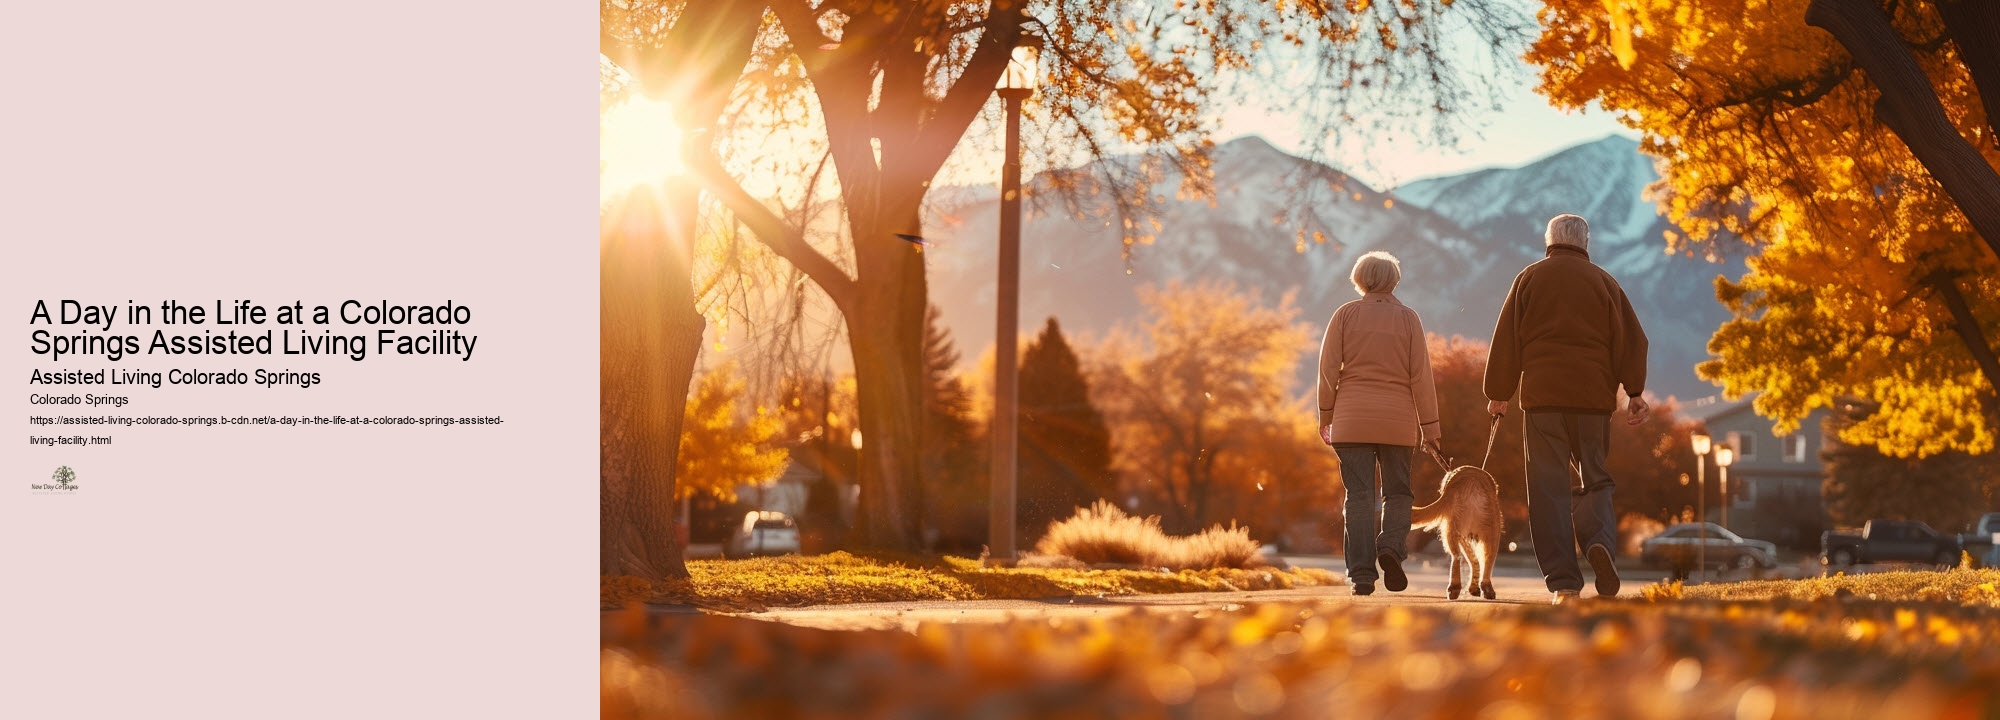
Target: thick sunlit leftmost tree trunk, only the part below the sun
{"points": [[649, 337]]}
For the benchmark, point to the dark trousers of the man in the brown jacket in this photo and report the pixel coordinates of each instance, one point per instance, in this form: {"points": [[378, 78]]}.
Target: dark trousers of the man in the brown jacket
{"points": [[1569, 493]]}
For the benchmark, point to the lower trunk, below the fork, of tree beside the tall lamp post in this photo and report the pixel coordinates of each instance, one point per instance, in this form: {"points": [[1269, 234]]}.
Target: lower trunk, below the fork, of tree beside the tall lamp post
{"points": [[887, 337]]}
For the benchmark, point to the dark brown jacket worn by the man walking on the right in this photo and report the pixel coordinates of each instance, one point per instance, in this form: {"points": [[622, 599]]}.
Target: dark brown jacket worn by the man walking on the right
{"points": [[1567, 339]]}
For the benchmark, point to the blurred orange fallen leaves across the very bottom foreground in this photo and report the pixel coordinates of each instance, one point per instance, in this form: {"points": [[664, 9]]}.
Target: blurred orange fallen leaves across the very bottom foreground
{"points": [[1293, 661]]}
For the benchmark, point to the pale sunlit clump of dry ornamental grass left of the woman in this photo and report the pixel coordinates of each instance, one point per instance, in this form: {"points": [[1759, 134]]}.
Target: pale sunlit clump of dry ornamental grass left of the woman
{"points": [[1103, 535]]}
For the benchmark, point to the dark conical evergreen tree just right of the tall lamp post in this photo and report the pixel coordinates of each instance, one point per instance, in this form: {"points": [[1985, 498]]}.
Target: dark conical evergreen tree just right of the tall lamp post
{"points": [[955, 477]]}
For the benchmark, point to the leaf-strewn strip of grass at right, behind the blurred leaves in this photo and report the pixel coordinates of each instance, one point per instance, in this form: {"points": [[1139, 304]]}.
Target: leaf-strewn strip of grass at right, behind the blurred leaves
{"points": [[1961, 587]]}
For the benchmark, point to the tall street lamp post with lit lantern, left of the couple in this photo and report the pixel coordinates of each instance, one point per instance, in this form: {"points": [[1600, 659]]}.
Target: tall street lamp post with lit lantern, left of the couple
{"points": [[1015, 87]]}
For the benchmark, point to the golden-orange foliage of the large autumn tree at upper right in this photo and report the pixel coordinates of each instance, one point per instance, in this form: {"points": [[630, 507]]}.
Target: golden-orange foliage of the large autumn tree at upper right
{"points": [[1871, 283]]}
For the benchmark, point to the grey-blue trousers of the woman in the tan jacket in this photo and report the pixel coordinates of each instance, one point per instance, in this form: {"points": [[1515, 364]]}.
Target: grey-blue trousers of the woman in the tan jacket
{"points": [[1361, 469]]}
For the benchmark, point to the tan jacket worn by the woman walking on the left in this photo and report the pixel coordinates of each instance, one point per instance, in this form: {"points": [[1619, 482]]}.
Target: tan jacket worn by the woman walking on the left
{"points": [[1375, 375]]}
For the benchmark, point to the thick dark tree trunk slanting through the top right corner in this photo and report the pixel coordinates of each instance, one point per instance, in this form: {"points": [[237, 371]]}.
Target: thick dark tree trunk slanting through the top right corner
{"points": [[1911, 109]]}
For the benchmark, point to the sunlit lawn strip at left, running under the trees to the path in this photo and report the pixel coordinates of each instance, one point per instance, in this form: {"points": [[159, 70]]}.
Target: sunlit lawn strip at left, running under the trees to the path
{"points": [[837, 579]]}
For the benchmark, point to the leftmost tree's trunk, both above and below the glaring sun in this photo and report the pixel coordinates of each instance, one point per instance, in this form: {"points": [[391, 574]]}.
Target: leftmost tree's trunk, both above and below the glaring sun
{"points": [[649, 333]]}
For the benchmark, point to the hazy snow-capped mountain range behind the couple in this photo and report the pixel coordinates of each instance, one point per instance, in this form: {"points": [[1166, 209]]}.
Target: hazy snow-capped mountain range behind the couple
{"points": [[1461, 241]]}
